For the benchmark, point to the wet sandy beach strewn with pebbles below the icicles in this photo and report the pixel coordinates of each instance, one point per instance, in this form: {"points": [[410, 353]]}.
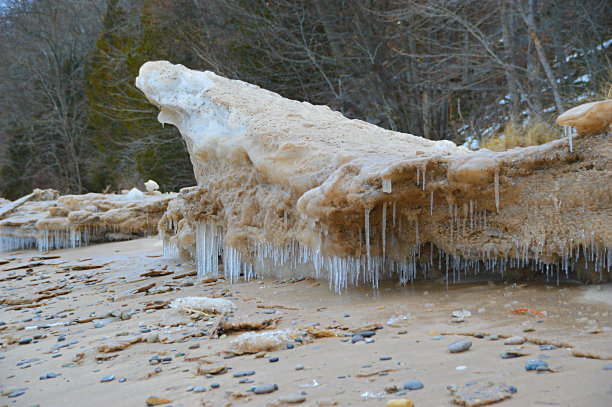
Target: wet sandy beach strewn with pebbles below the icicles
{"points": [[335, 372]]}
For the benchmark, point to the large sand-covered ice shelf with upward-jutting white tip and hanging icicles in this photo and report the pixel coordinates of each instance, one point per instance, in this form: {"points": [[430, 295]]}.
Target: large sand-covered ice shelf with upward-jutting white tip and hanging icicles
{"points": [[285, 187]]}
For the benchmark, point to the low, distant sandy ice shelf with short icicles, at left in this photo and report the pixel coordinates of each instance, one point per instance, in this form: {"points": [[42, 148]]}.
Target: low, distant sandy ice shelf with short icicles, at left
{"points": [[46, 221]]}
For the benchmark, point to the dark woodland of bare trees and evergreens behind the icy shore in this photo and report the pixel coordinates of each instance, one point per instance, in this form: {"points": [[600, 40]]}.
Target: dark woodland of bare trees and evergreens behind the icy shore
{"points": [[442, 69]]}
